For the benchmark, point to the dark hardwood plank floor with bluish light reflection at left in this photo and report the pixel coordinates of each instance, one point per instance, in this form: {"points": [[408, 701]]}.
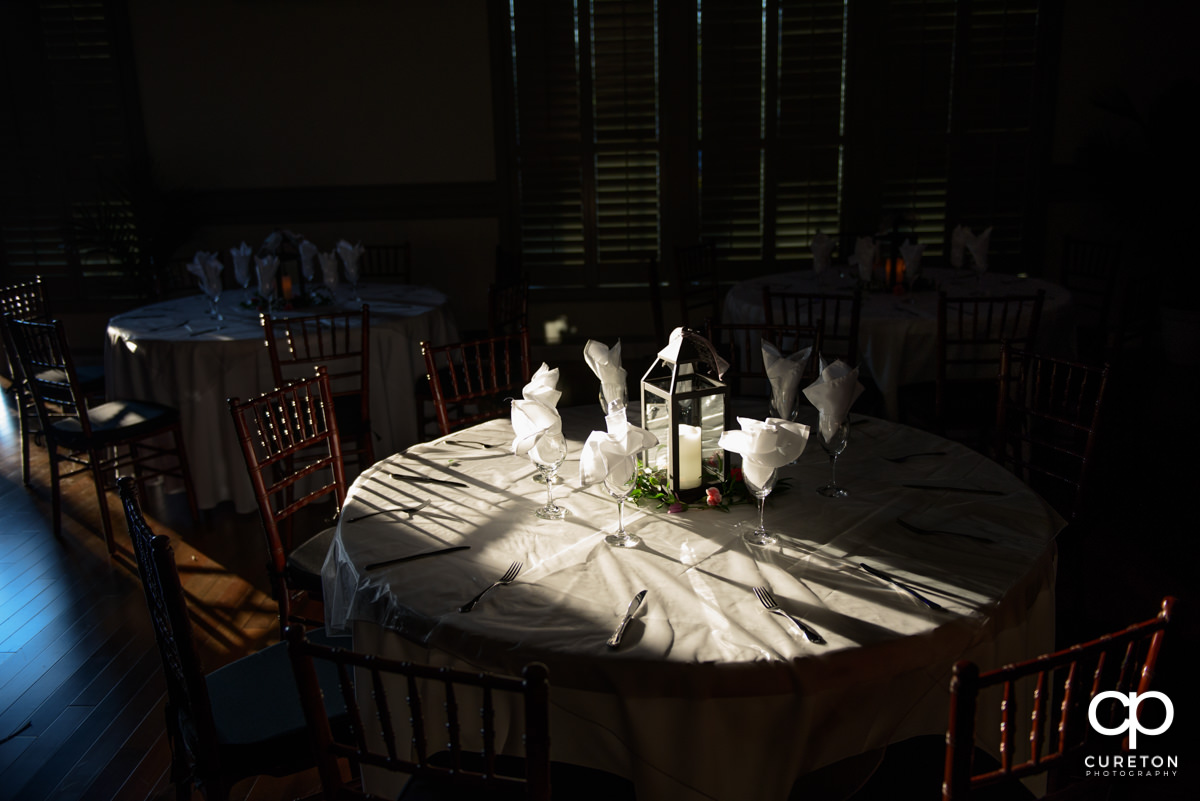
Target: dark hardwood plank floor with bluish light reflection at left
{"points": [[81, 685]]}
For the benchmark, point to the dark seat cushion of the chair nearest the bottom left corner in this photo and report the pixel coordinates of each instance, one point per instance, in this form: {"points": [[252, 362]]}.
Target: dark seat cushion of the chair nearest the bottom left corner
{"points": [[257, 714]]}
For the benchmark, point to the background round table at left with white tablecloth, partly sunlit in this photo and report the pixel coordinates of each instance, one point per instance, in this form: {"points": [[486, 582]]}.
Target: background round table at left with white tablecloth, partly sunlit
{"points": [[175, 353]]}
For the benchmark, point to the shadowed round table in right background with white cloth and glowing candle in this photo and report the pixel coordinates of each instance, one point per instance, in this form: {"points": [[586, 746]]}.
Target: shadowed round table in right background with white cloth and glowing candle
{"points": [[898, 334]]}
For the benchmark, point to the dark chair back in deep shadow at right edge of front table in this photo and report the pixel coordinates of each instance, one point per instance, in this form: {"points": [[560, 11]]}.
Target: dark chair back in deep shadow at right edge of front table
{"points": [[1048, 418]]}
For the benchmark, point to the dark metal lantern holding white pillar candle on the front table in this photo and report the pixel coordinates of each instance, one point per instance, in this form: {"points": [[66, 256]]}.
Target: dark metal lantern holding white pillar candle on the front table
{"points": [[686, 408]]}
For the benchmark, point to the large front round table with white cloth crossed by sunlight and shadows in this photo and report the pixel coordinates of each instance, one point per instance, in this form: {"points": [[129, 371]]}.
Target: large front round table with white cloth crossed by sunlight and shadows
{"points": [[710, 696]]}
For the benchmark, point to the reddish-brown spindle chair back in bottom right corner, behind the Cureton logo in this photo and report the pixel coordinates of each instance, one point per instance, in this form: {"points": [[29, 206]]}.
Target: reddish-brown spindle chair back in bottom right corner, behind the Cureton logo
{"points": [[1055, 691]]}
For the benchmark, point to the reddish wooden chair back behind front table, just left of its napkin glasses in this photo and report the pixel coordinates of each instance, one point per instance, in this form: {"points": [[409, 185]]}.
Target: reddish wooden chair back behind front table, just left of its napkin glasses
{"points": [[471, 381]]}
